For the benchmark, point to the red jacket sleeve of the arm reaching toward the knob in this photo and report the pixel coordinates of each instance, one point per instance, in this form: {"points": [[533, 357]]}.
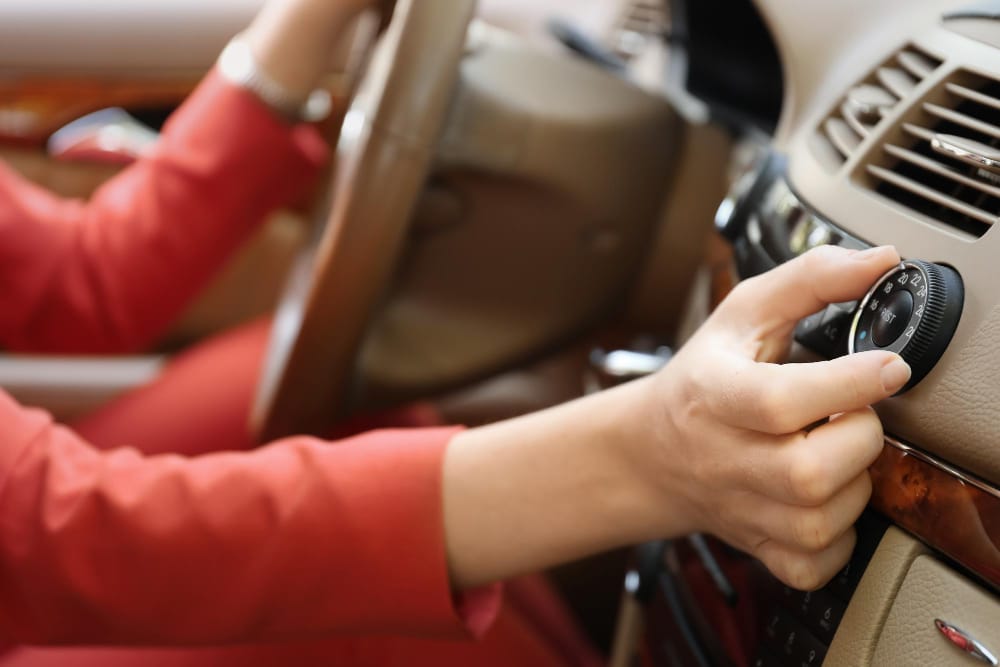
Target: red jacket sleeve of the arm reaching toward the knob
{"points": [[300, 539]]}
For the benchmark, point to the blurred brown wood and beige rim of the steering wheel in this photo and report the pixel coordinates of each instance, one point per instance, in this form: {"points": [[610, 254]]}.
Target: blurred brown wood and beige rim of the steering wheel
{"points": [[382, 159]]}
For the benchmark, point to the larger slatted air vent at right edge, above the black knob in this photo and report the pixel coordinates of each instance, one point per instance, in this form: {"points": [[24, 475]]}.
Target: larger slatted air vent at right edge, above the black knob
{"points": [[945, 161]]}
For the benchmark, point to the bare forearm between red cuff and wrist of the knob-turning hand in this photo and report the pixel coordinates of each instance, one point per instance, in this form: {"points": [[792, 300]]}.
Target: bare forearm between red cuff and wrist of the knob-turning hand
{"points": [[543, 489]]}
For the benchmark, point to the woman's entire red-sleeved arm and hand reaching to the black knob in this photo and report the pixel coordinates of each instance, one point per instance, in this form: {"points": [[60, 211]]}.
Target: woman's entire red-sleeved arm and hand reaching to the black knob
{"points": [[304, 539]]}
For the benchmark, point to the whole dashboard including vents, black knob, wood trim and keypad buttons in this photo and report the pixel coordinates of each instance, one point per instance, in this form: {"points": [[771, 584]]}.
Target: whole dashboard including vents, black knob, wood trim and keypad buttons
{"points": [[888, 134]]}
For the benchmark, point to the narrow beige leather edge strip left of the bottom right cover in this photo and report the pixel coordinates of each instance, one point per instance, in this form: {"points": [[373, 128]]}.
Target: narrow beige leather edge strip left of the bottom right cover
{"points": [[855, 642]]}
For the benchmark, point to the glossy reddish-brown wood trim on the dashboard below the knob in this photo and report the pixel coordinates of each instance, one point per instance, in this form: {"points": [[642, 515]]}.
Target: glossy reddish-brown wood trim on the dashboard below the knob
{"points": [[949, 510]]}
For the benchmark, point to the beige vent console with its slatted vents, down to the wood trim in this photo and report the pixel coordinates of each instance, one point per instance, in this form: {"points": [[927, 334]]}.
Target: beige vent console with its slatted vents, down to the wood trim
{"points": [[893, 186]]}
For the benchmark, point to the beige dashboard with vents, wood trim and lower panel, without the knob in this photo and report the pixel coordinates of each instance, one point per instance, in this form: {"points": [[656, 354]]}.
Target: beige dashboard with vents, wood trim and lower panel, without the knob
{"points": [[873, 94]]}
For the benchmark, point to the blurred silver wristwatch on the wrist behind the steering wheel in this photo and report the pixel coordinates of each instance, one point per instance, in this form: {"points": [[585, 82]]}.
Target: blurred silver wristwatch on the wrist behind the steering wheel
{"points": [[238, 66]]}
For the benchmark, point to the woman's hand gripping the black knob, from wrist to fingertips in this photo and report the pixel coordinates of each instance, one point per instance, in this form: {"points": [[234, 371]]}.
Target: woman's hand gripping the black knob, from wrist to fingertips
{"points": [[739, 445]]}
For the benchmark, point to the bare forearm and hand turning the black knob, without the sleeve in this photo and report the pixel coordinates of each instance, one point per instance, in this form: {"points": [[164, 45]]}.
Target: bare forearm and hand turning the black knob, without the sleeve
{"points": [[720, 441]]}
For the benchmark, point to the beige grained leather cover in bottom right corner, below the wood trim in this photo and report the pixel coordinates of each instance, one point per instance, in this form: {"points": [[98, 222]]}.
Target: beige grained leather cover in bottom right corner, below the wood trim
{"points": [[930, 591]]}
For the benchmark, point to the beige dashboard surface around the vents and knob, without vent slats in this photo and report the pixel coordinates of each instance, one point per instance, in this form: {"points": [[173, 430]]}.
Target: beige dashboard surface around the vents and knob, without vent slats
{"points": [[826, 49]]}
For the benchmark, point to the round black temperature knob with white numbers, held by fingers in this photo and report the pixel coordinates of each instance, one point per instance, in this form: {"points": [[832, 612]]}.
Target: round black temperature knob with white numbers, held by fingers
{"points": [[913, 311]]}
